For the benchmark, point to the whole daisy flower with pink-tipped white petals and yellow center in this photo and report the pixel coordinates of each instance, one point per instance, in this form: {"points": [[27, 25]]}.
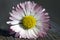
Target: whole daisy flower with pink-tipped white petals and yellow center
{"points": [[29, 20]]}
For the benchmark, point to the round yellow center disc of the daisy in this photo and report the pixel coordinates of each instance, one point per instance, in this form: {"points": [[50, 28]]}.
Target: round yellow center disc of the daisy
{"points": [[29, 22]]}
